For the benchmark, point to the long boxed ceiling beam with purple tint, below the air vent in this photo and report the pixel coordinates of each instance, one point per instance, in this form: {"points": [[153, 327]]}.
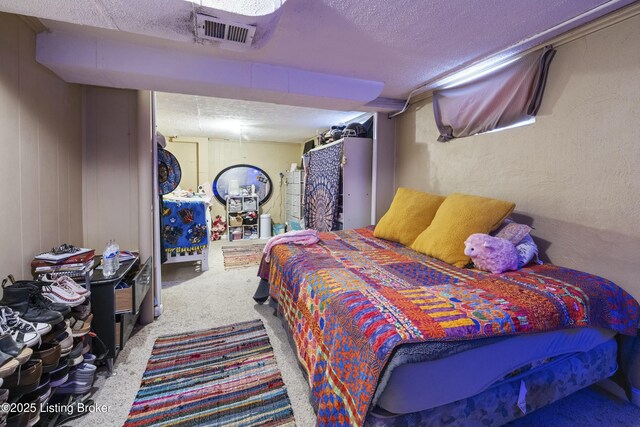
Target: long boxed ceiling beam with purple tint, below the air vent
{"points": [[120, 64]]}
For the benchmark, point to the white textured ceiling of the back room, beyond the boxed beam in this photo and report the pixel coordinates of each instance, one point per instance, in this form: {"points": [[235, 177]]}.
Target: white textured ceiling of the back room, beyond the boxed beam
{"points": [[187, 115]]}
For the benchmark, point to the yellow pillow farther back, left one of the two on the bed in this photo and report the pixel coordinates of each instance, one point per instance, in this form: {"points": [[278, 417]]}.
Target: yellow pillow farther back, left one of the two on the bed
{"points": [[409, 214]]}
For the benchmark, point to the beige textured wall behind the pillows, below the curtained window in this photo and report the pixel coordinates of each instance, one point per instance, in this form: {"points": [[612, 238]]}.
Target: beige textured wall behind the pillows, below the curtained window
{"points": [[574, 174]]}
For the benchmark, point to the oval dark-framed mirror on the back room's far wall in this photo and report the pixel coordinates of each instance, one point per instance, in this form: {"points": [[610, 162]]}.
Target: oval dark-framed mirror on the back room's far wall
{"points": [[239, 180]]}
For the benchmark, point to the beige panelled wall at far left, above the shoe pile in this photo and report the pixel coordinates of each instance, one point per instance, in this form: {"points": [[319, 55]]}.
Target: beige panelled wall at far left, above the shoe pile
{"points": [[41, 152]]}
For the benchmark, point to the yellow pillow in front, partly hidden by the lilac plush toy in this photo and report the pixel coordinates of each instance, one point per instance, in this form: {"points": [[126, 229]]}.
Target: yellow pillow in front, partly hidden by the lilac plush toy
{"points": [[459, 216]]}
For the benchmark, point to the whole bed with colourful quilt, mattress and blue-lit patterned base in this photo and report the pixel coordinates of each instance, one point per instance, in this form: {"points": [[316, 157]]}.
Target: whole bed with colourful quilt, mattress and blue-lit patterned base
{"points": [[391, 337]]}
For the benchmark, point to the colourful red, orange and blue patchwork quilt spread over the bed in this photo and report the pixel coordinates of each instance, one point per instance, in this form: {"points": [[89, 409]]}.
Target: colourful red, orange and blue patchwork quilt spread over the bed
{"points": [[352, 298]]}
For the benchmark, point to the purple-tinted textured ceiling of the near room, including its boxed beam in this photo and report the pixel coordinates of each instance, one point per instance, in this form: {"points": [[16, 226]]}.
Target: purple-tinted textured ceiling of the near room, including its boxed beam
{"points": [[332, 54]]}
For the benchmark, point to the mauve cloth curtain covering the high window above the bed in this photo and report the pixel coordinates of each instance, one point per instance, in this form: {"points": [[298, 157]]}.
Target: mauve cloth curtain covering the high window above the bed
{"points": [[508, 95]]}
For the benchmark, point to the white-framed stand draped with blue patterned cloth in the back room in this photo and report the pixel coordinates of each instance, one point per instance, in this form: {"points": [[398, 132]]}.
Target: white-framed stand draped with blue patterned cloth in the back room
{"points": [[186, 225]]}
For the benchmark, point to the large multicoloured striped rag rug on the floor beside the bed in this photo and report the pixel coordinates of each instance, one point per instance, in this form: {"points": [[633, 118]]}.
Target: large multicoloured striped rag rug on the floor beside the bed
{"points": [[224, 376]]}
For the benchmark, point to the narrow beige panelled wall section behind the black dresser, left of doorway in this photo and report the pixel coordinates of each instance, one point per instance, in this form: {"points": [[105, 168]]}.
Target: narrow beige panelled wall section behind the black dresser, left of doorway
{"points": [[110, 168]]}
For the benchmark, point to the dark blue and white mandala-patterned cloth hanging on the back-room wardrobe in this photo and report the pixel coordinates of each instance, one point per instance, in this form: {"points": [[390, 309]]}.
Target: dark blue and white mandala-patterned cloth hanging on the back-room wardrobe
{"points": [[322, 187]]}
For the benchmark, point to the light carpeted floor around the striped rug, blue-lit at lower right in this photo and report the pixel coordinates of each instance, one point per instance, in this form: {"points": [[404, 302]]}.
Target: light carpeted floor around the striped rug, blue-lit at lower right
{"points": [[218, 297]]}
